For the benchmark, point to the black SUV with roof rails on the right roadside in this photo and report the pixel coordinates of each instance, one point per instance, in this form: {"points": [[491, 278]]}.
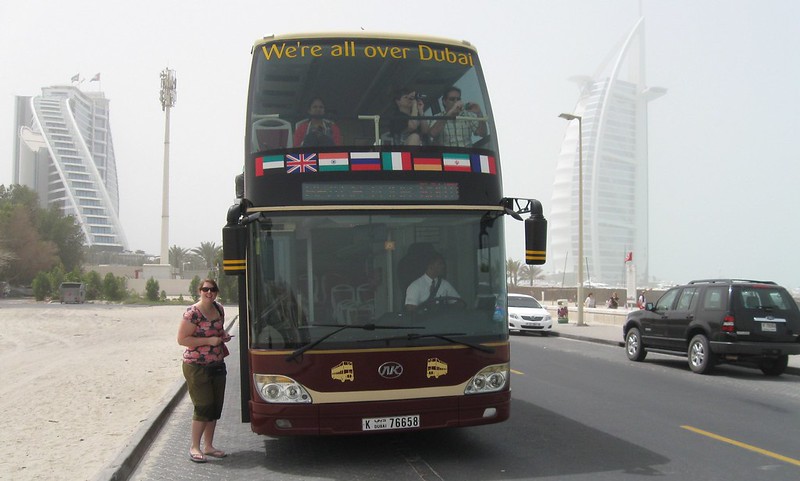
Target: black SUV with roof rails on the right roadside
{"points": [[719, 320]]}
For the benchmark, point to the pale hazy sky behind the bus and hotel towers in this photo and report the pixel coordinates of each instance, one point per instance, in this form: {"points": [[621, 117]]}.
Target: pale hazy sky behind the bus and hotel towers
{"points": [[724, 173]]}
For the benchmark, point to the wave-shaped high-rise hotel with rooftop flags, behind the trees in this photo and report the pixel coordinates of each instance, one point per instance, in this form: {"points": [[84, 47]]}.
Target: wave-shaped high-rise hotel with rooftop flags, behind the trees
{"points": [[63, 151]]}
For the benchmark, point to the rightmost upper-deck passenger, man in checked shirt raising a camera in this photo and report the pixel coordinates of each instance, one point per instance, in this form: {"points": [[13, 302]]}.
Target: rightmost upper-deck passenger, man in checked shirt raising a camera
{"points": [[457, 127]]}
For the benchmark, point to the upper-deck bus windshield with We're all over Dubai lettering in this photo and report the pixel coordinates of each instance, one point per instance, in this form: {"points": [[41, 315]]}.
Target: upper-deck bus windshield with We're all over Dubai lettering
{"points": [[324, 92]]}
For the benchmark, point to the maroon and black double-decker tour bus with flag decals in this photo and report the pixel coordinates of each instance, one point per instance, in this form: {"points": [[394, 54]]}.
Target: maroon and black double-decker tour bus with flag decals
{"points": [[368, 234]]}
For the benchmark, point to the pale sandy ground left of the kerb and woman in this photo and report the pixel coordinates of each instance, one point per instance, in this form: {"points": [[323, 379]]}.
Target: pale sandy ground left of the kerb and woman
{"points": [[77, 380]]}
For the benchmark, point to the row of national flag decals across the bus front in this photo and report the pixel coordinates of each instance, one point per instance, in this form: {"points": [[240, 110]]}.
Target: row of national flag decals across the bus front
{"points": [[380, 161]]}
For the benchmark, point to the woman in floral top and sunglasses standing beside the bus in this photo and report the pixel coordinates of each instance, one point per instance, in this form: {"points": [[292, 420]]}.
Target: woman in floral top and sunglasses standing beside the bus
{"points": [[202, 331]]}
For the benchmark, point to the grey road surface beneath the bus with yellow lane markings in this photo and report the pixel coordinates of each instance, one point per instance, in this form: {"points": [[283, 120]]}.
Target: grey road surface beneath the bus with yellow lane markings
{"points": [[580, 410]]}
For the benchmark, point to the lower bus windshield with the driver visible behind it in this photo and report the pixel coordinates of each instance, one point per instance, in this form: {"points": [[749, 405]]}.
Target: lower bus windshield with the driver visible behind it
{"points": [[318, 272]]}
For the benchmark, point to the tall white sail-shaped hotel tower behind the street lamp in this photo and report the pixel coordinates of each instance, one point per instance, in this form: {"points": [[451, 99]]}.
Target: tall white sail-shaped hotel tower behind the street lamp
{"points": [[613, 107]]}
